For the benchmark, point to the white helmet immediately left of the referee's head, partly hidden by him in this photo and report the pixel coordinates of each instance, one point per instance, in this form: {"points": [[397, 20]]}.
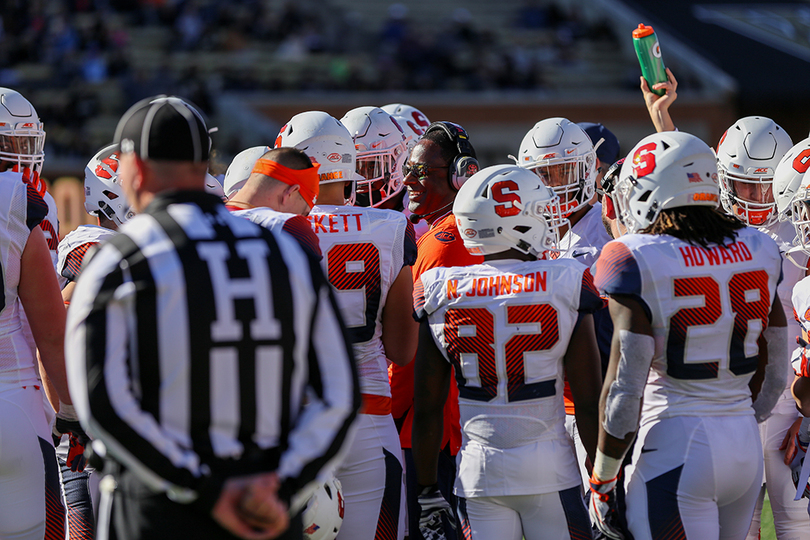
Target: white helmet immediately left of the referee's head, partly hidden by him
{"points": [[103, 194]]}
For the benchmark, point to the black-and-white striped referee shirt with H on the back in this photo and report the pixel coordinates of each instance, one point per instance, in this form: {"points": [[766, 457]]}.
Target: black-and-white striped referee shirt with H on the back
{"points": [[201, 346]]}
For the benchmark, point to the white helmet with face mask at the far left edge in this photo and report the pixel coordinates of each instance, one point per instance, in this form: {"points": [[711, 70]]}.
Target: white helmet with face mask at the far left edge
{"points": [[22, 137]]}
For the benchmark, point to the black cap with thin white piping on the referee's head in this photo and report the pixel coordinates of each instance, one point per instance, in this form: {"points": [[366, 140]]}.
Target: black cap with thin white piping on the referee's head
{"points": [[164, 128]]}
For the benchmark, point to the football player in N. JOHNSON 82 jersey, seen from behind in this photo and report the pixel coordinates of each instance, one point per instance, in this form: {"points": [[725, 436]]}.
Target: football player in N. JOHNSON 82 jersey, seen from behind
{"points": [[510, 327]]}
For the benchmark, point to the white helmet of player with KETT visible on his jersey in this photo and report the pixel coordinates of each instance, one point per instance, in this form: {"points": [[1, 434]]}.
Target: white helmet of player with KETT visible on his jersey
{"points": [[327, 142]]}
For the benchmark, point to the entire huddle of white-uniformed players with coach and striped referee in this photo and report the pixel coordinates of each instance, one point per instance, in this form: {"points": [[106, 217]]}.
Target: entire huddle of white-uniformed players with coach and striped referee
{"points": [[361, 334]]}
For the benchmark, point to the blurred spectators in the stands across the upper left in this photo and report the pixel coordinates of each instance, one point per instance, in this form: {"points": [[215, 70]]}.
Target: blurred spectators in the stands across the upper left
{"points": [[83, 59]]}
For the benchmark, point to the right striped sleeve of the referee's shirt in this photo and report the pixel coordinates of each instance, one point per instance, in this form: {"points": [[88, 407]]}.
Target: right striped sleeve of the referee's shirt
{"points": [[318, 440]]}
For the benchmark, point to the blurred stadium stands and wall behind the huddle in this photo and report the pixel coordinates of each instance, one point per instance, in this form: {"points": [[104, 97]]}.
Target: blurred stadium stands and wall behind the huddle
{"points": [[494, 67]]}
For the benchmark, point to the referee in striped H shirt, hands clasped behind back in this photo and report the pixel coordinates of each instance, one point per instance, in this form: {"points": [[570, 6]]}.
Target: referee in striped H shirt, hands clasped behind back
{"points": [[204, 351]]}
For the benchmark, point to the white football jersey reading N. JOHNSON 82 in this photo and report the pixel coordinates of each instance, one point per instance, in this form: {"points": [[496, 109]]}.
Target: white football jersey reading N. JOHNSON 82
{"points": [[505, 327]]}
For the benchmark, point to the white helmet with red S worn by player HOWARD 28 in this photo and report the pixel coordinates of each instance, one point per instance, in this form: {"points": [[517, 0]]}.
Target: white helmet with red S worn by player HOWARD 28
{"points": [[665, 170]]}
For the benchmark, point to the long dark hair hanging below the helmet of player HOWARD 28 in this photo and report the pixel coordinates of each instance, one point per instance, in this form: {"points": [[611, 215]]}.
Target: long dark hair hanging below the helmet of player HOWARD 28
{"points": [[701, 225]]}
